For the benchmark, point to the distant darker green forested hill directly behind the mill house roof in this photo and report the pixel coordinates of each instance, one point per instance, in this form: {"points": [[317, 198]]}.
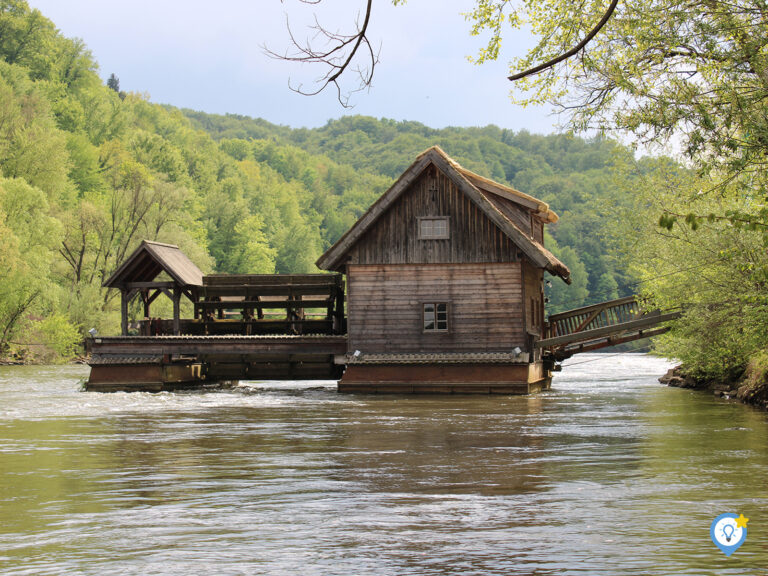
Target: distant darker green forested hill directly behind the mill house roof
{"points": [[575, 176]]}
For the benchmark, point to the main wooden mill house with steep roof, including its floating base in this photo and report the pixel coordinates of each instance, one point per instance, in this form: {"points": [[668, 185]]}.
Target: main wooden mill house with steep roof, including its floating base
{"points": [[445, 280]]}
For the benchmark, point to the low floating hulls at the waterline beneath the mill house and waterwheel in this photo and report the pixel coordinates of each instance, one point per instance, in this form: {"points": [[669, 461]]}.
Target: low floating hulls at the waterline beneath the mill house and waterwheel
{"points": [[168, 363]]}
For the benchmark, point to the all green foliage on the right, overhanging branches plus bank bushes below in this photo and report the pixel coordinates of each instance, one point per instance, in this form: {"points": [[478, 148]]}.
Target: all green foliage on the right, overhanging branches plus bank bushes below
{"points": [[694, 74]]}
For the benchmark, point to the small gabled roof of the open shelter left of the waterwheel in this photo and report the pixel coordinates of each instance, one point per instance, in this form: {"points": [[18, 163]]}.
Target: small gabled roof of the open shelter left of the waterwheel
{"points": [[152, 258]]}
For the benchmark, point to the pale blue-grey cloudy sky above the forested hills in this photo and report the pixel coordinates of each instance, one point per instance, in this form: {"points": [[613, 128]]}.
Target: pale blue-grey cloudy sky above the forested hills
{"points": [[209, 56]]}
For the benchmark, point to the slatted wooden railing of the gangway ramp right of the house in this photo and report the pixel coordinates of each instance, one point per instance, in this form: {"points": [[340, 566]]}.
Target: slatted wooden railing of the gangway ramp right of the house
{"points": [[592, 317]]}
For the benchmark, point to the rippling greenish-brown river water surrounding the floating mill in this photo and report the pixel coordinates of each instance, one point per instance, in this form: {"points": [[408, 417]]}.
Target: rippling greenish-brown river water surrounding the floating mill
{"points": [[608, 473]]}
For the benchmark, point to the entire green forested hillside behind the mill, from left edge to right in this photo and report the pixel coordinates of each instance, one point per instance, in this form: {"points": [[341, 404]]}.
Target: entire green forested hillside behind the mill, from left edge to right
{"points": [[88, 171]]}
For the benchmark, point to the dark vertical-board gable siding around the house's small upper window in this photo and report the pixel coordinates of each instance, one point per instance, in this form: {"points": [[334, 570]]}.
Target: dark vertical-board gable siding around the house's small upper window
{"points": [[394, 238]]}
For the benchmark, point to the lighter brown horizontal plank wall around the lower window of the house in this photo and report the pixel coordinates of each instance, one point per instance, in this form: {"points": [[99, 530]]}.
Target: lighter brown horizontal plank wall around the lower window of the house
{"points": [[386, 301]]}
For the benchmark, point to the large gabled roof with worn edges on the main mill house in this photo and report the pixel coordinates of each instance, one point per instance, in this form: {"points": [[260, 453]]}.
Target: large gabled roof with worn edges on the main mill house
{"points": [[478, 189]]}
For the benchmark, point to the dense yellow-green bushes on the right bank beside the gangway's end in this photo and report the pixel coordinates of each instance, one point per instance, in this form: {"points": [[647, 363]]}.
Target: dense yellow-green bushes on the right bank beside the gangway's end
{"points": [[717, 274]]}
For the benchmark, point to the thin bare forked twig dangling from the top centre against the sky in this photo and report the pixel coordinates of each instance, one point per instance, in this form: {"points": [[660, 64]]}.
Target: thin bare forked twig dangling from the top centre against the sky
{"points": [[336, 54]]}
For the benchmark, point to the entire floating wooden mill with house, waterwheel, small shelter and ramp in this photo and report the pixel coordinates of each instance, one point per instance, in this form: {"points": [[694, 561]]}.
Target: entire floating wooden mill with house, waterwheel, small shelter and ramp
{"points": [[444, 293]]}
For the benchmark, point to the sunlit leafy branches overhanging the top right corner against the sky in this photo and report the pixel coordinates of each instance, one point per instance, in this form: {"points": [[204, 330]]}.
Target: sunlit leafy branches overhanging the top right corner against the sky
{"points": [[658, 69]]}
